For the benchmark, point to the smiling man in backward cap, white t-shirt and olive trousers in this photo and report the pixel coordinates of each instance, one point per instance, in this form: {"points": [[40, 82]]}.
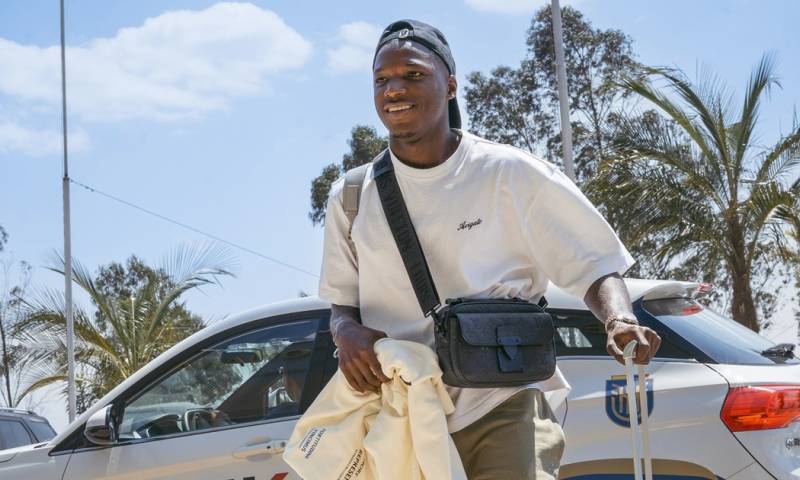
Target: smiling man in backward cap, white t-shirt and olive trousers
{"points": [[493, 221]]}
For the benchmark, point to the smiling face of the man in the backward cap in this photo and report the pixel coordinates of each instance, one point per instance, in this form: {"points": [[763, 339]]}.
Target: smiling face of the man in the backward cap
{"points": [[411, 89]]}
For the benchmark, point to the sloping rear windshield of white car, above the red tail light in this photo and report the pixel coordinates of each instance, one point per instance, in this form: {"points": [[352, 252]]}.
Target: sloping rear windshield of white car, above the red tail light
{"points": [[719, 337]]}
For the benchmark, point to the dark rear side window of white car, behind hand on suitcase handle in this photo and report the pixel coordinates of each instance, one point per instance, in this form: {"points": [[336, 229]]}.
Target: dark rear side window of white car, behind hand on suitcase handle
{"points": [[579, 333]]}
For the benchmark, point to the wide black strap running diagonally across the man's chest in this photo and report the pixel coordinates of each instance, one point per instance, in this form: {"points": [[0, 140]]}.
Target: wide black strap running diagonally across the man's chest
{"points": [[394, 207]]}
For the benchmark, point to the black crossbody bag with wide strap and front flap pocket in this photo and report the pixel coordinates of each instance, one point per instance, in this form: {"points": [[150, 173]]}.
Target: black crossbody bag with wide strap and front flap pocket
{"points": [[481, 343]]}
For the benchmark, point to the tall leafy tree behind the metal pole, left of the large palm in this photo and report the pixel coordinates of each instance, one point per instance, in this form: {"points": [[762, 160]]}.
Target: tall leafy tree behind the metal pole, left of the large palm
{"points": [[520, 106]]}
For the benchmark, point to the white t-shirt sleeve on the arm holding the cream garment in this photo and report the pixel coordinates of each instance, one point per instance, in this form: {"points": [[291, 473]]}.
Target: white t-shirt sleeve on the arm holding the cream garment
{"points": [[338, 283]]}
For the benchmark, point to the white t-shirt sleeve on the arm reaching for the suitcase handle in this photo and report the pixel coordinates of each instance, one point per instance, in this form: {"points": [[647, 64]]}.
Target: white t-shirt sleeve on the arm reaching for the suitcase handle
{"points": [[570, 240]]}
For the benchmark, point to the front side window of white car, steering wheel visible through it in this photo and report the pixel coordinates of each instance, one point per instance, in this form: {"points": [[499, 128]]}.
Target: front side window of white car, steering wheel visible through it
{"points": [[254, 376]]}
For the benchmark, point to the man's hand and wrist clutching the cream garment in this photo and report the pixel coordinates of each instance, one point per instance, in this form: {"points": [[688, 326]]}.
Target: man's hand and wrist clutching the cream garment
{"points": [[355, 344]]}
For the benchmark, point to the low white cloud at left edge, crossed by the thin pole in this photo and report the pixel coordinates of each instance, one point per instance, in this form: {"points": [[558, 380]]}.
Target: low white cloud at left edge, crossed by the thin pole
{"points": [[15, 138]]}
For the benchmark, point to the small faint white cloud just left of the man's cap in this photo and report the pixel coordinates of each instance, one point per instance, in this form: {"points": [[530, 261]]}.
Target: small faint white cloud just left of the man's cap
{"points": [[356, 44]]}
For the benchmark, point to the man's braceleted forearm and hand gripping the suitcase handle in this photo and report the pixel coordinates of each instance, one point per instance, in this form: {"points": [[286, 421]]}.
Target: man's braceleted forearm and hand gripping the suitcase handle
{"points": [[608, 298]]}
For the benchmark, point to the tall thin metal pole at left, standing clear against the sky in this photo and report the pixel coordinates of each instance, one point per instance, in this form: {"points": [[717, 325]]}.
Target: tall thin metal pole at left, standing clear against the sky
{"points": [[67, 238]]}
